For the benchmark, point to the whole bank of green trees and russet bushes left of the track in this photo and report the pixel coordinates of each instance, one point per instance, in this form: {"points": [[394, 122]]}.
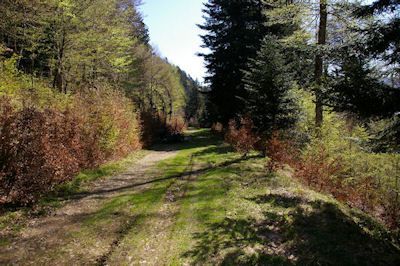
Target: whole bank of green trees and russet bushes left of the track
{"points": [[64, 68]]}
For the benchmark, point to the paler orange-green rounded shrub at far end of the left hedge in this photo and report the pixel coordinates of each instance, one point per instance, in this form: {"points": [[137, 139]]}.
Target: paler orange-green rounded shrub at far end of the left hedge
{"points": [[110, 124]]}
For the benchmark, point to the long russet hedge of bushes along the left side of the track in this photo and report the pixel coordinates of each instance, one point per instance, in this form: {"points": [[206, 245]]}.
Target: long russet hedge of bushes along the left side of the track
{"points": [[43, 147]]}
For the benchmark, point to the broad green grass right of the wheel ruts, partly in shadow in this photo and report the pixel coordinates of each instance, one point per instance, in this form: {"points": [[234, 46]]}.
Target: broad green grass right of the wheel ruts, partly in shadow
{"points": [[234, 213]]}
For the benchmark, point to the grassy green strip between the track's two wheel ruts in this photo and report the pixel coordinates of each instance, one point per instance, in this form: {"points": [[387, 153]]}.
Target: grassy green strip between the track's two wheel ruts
{"points": [[98, 234]]}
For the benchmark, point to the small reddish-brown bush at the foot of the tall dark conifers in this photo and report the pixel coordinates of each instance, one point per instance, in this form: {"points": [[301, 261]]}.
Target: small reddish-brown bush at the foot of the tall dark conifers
{"points": [[241, 136]]}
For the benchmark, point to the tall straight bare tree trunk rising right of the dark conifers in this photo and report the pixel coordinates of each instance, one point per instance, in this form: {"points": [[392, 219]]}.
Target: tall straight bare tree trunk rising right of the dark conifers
{"points": [[319, 63]]}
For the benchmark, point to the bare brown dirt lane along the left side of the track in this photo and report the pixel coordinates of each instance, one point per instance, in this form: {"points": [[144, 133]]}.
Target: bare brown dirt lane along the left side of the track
{"points": [[72, 234]]}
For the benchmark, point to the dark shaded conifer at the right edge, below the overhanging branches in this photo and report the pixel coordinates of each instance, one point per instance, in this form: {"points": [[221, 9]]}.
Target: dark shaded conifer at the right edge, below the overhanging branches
{"points": [[357, 88]]}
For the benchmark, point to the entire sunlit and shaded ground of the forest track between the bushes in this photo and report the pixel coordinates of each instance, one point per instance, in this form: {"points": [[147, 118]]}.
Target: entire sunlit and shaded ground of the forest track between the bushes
{"points": [[198, 203]]}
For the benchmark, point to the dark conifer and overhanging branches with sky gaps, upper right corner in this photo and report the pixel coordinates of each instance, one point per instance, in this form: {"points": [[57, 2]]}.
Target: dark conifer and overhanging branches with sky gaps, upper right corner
{"points": [[361, 62]]}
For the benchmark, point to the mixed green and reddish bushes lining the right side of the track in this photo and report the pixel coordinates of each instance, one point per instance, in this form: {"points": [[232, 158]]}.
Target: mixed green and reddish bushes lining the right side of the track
{"points": [[337, 161]]}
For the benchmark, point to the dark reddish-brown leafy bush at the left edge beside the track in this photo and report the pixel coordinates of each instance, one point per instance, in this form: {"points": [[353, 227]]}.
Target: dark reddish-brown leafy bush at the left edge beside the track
{"points": [[37, 154]]}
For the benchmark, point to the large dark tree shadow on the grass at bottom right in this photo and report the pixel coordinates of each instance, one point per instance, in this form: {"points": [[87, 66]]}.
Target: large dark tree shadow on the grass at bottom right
{"points": [[318, 234]]}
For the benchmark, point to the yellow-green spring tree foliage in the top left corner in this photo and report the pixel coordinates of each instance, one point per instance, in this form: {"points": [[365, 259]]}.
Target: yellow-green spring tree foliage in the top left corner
{"points": [[74, 43]]}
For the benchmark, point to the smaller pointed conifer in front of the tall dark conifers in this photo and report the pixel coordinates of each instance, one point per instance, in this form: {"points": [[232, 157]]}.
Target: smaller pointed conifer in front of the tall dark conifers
{"points": [[270, 103]]}
